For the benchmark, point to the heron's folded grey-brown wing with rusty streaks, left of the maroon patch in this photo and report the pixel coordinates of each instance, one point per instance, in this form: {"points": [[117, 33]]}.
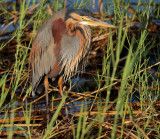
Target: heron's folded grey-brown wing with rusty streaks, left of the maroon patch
{"points": [[42, 56]]}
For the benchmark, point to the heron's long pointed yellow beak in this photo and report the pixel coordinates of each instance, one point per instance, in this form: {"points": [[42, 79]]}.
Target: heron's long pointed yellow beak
{"points": [[94, 22]]}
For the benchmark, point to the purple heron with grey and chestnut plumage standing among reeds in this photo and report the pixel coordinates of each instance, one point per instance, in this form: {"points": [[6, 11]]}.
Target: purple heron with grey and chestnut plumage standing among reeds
{"points": [[60, 45]]}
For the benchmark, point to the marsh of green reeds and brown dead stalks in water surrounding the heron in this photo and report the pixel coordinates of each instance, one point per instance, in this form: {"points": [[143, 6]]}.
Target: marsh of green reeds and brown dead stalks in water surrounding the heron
{"points": [[116, 96]]}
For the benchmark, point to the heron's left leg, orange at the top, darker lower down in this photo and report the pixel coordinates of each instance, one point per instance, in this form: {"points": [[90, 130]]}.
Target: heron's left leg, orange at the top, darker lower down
{"points": [[46, 84]]}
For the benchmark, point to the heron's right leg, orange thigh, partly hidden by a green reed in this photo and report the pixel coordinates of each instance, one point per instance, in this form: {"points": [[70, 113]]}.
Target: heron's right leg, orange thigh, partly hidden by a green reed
{"points": [[60, 84]]}
